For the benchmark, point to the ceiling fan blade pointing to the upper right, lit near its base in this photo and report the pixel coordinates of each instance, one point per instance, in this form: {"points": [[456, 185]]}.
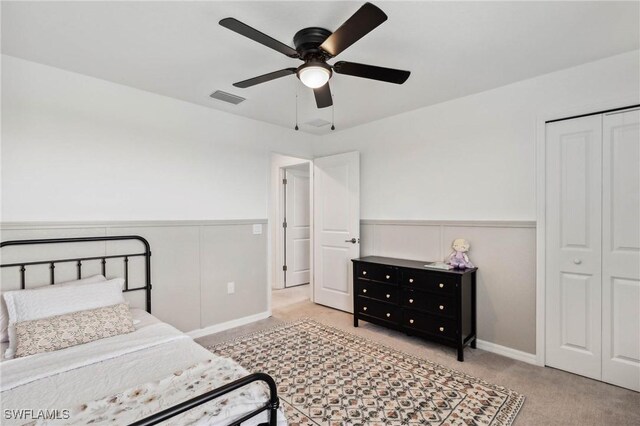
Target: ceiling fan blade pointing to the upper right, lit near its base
{"points": [[360, 24]]}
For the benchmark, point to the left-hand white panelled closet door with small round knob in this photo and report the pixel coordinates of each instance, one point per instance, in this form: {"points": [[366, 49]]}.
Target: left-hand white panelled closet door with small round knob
{"points": [[573, 238]]}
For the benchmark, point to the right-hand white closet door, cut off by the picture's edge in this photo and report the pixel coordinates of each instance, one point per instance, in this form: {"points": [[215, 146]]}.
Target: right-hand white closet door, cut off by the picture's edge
{"points": [[621, 250]]}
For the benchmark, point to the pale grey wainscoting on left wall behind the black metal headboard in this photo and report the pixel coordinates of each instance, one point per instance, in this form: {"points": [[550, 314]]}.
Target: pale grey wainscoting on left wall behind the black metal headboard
{"points": [[192, 261]]}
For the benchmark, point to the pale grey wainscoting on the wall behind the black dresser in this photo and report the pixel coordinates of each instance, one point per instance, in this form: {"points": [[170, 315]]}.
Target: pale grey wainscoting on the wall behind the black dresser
{"points": [[504, 252]]}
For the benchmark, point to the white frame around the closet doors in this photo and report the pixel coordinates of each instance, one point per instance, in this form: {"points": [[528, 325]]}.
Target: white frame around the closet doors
{"points": [[541, 181]]}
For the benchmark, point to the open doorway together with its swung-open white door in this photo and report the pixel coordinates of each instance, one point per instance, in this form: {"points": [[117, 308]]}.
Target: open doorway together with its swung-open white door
{"points": [[324, 258]]}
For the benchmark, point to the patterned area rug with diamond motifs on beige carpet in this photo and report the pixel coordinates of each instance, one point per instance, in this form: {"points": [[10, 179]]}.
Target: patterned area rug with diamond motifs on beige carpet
{"points": [[327, 376]]}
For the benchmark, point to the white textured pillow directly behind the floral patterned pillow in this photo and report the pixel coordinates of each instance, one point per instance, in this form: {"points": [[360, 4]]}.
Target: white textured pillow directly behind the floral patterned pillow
{"points": [[32, 304]]}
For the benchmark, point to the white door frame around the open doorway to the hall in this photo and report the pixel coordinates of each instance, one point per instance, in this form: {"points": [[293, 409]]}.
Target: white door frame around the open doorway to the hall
{"points": [[278, 162]]}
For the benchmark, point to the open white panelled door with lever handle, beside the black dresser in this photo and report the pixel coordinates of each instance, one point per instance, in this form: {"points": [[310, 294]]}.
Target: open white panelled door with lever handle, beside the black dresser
{"points": [[336, 228]]}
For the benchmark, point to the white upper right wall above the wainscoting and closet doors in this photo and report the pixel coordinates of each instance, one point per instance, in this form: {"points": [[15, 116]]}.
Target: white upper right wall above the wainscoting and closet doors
{"points": [[472, 158]]}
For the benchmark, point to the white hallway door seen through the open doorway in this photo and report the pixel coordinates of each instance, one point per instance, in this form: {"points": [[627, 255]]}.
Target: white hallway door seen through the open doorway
{"points": [[297, 244]]}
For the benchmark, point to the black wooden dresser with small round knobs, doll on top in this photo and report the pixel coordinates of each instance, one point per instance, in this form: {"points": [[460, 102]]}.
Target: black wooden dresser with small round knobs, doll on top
{"points": [[404, 295]]}
